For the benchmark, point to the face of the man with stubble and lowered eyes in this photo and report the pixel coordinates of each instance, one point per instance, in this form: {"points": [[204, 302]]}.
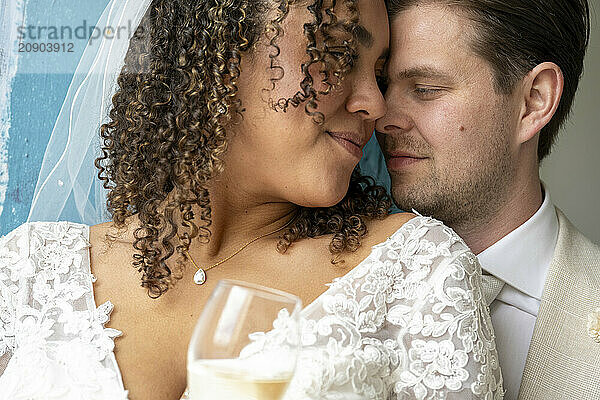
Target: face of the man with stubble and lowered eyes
{"points": [[448, 135]]}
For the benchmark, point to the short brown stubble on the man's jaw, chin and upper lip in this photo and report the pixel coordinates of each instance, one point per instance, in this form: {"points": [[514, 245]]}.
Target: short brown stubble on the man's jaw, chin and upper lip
{"points": [[462, 194]]}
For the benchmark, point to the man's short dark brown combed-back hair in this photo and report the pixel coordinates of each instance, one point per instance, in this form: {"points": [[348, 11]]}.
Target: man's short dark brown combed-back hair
{"points": [[516, 35]]}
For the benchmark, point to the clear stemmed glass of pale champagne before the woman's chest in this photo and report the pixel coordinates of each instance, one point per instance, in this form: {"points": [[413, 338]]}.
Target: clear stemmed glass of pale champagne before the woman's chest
{"points": [[245, 344]]}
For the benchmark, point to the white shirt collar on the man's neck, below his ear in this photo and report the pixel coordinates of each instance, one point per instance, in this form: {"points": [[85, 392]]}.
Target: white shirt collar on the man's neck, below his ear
{"points": [[522, 258]]}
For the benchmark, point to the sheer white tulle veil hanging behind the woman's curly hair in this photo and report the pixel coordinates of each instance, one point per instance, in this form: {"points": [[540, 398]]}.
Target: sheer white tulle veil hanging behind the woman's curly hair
{"points": [[68, 187]]}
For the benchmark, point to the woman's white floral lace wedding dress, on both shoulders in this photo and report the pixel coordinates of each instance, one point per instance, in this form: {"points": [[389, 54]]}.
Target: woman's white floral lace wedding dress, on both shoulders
{"points": [[409, 322]]}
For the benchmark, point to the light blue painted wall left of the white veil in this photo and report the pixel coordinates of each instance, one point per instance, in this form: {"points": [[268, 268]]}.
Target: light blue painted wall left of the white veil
{"points": [[38, 90]]}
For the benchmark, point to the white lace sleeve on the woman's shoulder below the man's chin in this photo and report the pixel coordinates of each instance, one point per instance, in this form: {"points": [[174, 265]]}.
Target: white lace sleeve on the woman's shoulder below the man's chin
{"points": [[408, 323]]}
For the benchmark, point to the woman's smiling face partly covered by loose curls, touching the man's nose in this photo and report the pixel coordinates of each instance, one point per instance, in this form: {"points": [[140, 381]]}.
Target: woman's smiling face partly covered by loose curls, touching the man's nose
{"points": [[286, 156]]}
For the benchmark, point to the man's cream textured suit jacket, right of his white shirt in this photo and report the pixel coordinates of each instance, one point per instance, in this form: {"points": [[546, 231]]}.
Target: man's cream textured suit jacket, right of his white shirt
{"points": [[563, 361]]}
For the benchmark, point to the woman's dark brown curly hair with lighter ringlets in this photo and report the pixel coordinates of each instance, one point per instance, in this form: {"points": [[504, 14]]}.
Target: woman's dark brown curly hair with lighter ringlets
{"points": [[176, 95]]}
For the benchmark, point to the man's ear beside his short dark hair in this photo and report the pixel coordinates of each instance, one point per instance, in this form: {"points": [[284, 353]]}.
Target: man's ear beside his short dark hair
{"points": [[541, 90]]}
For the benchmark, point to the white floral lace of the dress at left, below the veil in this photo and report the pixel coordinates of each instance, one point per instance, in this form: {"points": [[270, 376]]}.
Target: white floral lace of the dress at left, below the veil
{"points": [[49, 326]]}
